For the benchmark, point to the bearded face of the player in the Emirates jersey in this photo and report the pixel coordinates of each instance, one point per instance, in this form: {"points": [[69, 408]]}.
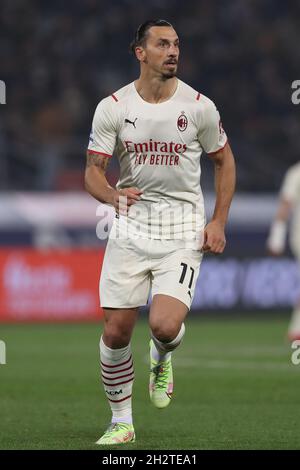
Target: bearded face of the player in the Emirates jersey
{"points": [[162, 51]]}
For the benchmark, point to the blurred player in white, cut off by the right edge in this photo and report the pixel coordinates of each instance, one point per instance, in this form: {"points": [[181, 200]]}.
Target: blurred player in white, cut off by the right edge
{"points": [[289, 201]]}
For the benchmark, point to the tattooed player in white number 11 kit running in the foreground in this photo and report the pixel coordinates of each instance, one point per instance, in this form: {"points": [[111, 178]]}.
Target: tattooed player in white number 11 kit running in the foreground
{"points": [[157, 127]]}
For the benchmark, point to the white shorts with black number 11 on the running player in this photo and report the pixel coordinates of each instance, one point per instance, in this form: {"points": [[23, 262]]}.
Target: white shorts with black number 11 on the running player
{"points": [[131, 268]]}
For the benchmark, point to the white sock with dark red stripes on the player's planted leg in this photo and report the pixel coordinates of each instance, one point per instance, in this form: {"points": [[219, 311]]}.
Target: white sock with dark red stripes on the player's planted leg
{"points": [[117, 377]]}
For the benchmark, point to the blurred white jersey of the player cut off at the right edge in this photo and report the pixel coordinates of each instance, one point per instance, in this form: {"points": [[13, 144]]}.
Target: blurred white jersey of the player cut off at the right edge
{"points": [[290, 191]]}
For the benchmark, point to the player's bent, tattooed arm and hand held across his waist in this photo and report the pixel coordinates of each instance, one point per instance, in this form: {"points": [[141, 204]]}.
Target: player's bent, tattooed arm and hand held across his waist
{"points": [[97, 185]]}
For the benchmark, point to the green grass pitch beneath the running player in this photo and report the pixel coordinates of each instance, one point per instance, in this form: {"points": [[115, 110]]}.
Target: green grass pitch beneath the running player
{"points": [[235, 388]]}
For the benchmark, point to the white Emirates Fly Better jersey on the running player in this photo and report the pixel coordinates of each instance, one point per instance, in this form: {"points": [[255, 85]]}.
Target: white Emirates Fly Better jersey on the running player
{"points": [[159, 148]]}
